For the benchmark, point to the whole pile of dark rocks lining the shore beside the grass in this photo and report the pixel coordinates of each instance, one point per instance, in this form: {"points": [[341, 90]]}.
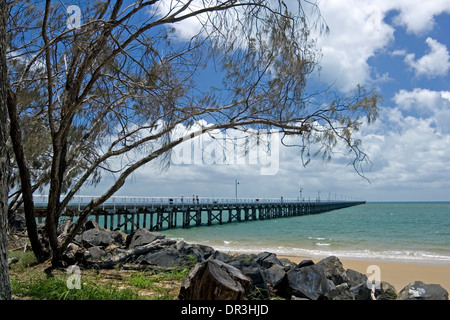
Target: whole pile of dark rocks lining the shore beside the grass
{"points": [[218, 275]]}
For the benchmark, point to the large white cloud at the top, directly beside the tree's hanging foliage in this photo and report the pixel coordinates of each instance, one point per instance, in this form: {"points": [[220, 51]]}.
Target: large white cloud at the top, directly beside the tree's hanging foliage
{"points": [[357, 32]]}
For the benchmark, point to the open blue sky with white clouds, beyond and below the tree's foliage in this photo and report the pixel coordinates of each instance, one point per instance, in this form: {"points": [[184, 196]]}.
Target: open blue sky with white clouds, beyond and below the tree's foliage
{"points": [[401, 48]]}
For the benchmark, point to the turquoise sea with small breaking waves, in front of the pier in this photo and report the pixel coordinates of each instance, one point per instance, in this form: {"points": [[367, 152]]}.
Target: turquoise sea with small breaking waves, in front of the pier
{"points": [[404, 232]]}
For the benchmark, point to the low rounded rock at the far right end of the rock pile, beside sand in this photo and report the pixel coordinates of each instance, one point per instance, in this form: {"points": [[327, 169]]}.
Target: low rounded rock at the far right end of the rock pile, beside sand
{"points": [[418, 290]]}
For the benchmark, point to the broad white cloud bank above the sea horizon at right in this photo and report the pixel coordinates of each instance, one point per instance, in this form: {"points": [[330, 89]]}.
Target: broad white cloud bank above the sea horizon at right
{"points": [[410, 146]]}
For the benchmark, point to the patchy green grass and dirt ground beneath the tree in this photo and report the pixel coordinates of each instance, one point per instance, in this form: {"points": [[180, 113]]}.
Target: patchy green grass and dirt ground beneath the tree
{"points": [[29, 281]]}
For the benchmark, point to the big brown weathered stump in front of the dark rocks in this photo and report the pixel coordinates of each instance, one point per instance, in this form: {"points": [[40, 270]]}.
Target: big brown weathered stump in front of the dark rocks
{"points": [[215, 280]]}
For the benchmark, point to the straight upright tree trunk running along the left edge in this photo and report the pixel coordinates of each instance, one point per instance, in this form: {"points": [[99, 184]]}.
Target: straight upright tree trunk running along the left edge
{"points": [[5, 284]]}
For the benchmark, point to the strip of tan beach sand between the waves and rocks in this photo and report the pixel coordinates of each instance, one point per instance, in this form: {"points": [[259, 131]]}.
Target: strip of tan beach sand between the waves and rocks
{"points": [[397, 274]]}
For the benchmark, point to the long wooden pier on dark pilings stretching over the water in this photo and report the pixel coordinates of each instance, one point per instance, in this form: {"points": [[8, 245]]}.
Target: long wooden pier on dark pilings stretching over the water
{"points": [[129, 214]]}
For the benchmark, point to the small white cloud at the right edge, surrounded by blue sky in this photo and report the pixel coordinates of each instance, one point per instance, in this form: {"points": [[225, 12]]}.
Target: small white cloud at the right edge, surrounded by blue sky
{"points": [[435, 63]]}
